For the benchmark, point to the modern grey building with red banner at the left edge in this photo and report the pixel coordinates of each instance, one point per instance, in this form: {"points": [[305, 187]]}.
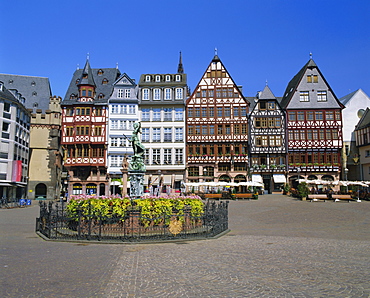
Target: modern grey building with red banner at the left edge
{"points": [[14, 144]]}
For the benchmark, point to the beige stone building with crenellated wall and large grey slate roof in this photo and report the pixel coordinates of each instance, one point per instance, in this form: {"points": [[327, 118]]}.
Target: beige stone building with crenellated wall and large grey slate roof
{"points": [[45, 161]]}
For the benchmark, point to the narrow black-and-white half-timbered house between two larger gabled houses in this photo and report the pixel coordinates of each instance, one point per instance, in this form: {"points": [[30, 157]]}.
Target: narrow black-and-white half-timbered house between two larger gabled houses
{"points": [[267, 141]]}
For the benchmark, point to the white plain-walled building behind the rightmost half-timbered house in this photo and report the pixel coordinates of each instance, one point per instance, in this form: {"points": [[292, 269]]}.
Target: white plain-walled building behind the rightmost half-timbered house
{"points": [[355, 105]]}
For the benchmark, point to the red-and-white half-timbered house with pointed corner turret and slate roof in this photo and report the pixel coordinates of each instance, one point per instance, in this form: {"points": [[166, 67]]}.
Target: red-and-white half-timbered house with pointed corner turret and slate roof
{"points": [[84, 129]]}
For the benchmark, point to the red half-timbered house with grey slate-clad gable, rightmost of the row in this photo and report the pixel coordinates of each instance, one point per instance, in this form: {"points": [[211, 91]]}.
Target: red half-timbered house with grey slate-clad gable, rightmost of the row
{"points": [[314, 126]]}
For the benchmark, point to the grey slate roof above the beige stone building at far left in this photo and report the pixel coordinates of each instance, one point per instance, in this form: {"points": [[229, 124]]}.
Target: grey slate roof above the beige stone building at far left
{"points": [[36, 90]]}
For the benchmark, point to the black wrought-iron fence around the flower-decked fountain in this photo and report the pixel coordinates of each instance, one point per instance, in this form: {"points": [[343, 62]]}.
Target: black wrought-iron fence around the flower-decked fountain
{"points": [[54, 223]]}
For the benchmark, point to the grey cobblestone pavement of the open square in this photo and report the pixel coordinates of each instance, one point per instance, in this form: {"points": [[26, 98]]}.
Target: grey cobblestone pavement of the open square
{"points": [[277, 247]]}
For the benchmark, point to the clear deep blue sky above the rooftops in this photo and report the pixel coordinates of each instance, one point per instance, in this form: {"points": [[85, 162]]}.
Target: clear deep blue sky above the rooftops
{"points": [[256, 40]]}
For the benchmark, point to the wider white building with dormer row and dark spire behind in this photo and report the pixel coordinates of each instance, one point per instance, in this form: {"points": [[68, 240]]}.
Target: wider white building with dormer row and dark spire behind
{"points": [[162, 112]]}
